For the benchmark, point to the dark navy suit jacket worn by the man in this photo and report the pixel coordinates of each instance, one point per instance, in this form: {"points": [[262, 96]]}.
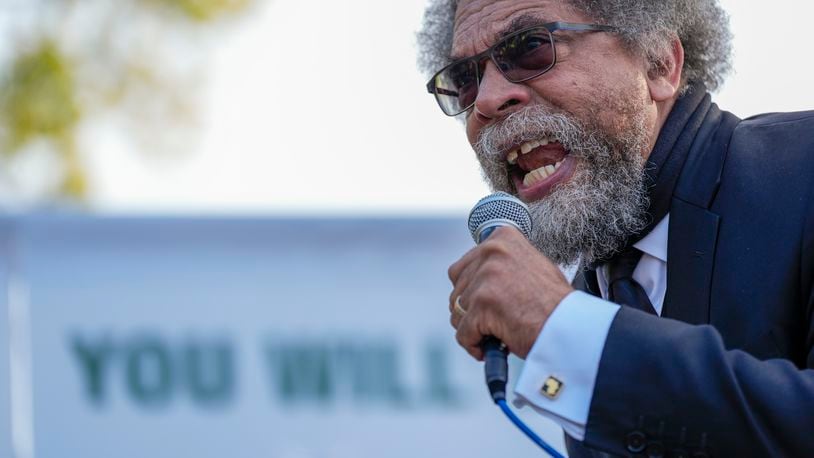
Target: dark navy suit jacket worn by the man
{"points": [[727, 370]]}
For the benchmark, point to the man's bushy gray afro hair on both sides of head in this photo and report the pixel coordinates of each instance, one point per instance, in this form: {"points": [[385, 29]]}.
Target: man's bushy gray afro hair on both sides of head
{"points": [[645, 27]]}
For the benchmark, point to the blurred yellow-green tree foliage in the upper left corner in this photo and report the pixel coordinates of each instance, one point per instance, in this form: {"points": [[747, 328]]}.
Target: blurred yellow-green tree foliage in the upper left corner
{"points": [[54, 81]]}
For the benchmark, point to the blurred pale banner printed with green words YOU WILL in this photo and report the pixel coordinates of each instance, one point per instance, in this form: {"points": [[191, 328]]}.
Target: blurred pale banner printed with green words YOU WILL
{"points": [[240, 338]]}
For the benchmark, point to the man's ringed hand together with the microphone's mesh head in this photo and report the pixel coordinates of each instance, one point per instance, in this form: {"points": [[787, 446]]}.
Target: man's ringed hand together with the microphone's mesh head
{"points": [[506, 287]]}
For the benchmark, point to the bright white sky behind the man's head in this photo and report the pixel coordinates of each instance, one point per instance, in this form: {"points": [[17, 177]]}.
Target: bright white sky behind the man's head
{"points": [[317, 108]]}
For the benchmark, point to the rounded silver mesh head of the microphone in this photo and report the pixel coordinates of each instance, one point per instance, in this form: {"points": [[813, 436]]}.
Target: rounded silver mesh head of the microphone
{"points": [[499, 209]]}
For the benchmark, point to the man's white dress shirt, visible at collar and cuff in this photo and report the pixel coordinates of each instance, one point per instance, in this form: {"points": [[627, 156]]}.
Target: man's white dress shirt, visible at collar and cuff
{"points": [[570, 344]]}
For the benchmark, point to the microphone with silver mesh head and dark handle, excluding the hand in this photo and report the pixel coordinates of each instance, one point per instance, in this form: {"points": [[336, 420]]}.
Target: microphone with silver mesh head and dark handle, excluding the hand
{"points": [[493, 211]]}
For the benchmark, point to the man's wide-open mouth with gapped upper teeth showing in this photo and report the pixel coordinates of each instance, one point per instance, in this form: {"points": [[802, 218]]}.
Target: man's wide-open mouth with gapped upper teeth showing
{"points": [[537, 166]]}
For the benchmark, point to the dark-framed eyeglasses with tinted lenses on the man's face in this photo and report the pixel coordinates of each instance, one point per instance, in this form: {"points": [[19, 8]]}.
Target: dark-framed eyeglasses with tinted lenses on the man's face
{"points": [[520, 56]]}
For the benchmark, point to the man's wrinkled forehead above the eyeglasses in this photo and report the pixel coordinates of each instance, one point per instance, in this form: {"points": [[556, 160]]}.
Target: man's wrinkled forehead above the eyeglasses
{"points": [[479, 22]]}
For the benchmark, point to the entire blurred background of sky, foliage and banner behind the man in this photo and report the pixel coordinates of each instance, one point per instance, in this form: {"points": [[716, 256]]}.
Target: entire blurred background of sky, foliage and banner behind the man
{"points": [[226, 225]]}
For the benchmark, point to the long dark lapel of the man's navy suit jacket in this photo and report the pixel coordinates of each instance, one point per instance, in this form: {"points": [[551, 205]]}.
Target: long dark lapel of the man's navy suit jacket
{"points": [[693, 233]]}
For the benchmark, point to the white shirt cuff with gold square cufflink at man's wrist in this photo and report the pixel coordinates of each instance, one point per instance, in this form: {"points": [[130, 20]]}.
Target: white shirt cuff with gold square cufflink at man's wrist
{"points": [[568, 349]]}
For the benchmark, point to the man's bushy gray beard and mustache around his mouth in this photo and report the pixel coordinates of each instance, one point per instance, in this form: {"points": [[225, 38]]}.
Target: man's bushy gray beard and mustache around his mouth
{"points": [[590, 216]]}
